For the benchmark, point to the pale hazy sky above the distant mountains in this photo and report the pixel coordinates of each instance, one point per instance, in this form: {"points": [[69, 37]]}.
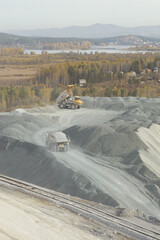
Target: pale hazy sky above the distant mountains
{"points": [[36, 14]]}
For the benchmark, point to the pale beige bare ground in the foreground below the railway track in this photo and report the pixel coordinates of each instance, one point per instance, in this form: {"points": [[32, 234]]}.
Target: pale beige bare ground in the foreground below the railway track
{"points": [[30, 218]]}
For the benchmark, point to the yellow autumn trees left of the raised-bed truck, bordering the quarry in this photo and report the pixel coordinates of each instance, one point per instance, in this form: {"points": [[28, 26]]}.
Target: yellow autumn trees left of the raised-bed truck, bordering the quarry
{"points": [[26, 96]]}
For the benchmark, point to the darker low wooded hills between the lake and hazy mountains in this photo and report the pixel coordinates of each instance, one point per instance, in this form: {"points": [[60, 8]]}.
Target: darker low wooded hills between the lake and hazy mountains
{"points": [[9, 40]]}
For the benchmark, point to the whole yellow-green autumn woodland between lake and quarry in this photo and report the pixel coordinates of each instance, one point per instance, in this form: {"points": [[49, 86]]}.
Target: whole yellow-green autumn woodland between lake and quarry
{"points": [[29, 79]]}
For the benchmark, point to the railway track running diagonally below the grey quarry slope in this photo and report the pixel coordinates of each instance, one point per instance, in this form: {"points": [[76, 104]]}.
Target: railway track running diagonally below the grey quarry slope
{"points": [[84, 209]]}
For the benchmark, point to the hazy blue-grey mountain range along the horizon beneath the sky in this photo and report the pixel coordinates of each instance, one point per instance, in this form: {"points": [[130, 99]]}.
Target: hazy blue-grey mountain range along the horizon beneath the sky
{"points": [[93, 31]]}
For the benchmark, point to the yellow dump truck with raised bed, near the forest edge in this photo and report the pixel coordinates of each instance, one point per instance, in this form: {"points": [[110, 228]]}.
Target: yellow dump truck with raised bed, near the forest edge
{"points": [[67, 100]]}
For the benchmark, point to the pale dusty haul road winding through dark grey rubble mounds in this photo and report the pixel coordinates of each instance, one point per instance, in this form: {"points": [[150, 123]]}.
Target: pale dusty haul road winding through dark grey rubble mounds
{"points": [[107, 177]]}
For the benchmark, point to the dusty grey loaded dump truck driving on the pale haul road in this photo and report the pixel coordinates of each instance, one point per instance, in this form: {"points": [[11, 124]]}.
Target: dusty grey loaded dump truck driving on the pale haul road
{"points": [[57, 141]]}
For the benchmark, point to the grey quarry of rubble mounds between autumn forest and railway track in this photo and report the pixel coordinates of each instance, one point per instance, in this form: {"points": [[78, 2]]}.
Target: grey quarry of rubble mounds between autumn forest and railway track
{"points": [[113, 157]]}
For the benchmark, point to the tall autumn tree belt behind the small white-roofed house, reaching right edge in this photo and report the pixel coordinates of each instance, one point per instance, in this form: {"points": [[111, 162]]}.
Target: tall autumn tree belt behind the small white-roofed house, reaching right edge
{"points": [[92, 71]]}
